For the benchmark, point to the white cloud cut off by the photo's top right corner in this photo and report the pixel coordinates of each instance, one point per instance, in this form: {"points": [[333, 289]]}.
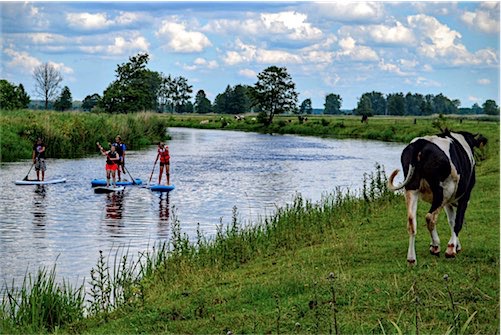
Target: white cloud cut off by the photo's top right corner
{"points": [[485, 19]]}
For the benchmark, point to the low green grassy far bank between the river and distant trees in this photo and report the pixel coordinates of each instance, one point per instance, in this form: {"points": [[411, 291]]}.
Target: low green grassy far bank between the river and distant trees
{"points": [[380, 128]]}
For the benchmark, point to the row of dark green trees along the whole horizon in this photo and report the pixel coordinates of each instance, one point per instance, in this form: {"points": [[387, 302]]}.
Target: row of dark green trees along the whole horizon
{"points": [[137, 88]]}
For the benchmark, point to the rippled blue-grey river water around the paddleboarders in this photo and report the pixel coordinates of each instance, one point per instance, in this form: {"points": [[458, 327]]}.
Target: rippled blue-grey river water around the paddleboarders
{"points": [[213, 171]]}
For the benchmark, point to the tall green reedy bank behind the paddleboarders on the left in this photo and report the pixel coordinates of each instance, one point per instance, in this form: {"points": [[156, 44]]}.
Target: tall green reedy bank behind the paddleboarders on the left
{"points": [[74, 134]]}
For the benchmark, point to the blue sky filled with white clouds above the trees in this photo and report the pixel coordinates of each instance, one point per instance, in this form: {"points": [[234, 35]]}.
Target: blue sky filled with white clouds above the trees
{"points": [[345, 48]]}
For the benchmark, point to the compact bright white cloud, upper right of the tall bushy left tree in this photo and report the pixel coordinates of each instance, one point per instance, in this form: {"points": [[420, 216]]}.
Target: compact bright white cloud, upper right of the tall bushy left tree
{"points": [[179, 39]]}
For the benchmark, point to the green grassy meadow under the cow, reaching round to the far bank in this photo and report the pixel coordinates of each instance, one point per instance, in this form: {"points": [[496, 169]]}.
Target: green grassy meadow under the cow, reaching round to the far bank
{"points": [[335, 266]]}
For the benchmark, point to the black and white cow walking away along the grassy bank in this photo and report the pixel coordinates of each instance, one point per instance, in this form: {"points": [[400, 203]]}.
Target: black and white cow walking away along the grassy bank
{"points": [[439, 169]]}
